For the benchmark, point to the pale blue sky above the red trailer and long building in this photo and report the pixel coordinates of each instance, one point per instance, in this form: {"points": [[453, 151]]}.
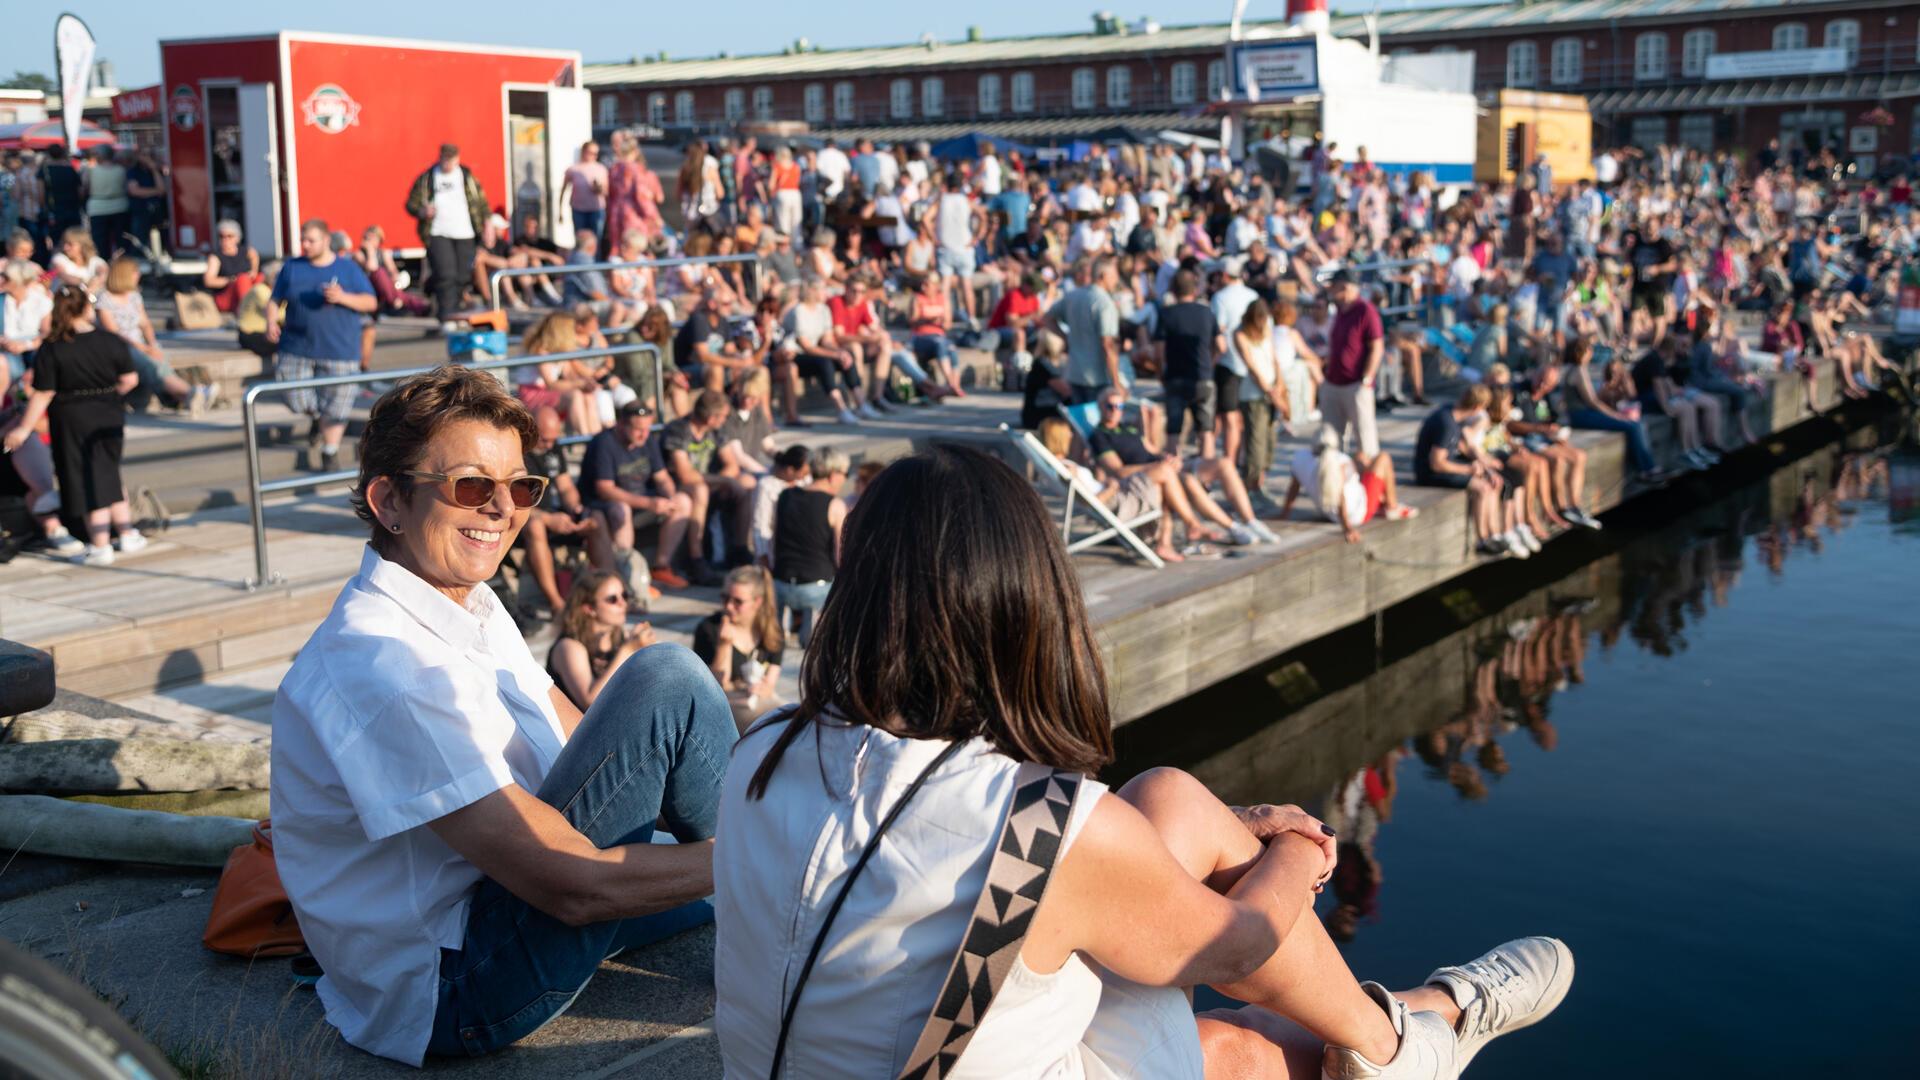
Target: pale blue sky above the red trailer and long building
{"points": [[130, 30]]}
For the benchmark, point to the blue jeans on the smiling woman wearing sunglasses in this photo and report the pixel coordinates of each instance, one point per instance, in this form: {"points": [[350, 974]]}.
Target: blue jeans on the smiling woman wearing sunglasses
{"points": [[654, 747]]}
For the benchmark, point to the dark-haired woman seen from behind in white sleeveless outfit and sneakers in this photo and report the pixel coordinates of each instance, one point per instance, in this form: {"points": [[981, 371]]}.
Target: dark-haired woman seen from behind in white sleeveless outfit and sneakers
{"points": [[878, 802]]}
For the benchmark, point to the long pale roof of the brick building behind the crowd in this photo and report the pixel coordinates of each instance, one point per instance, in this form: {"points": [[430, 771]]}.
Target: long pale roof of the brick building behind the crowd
{"points": [[1040, 49]]}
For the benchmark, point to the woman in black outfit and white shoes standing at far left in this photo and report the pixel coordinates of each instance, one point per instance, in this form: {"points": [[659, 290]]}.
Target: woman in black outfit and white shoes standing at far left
{"points": [[80, 378]]}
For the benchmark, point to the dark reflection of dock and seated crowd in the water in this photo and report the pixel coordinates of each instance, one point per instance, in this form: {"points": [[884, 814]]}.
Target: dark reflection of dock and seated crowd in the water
{"points": [[1441, 689]]}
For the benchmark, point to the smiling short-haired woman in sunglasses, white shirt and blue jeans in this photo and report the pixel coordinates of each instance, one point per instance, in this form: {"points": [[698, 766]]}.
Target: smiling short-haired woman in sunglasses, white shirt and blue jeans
{"points": [[462, 847]]}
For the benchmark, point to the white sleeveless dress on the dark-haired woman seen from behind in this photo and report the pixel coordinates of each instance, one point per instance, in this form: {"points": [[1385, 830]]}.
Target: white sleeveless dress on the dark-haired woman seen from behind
{"points": [[780, 862]]}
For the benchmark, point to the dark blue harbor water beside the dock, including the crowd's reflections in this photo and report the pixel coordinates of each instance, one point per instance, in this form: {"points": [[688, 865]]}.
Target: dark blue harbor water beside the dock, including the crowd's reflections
{"points": [[1691, 747]]}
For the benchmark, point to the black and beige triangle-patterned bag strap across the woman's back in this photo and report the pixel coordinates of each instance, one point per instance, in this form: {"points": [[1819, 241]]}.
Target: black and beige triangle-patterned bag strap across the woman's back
{"points": [[1017, 879]]}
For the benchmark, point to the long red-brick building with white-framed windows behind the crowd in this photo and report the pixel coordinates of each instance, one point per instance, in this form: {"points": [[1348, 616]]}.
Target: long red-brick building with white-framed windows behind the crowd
{"points": [[1712, 72]]}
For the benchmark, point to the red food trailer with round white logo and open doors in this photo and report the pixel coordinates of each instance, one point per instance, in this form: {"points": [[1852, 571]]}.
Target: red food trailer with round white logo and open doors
{"points": [[279, 130]]}
